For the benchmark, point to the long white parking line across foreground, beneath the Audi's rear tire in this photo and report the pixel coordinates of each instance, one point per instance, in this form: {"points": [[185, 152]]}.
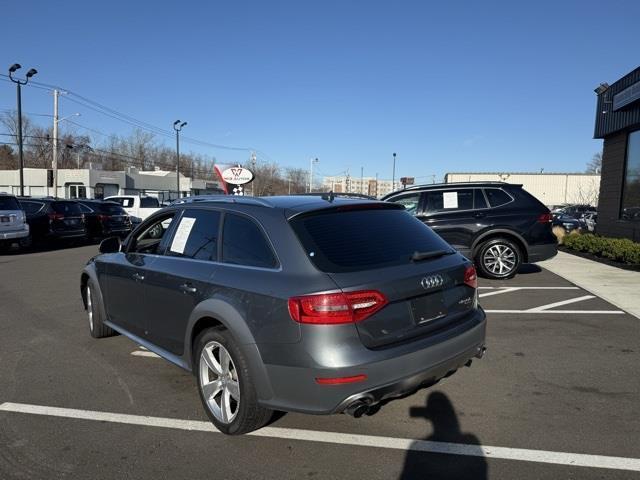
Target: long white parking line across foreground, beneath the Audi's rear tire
{"points": [[518, 454]]}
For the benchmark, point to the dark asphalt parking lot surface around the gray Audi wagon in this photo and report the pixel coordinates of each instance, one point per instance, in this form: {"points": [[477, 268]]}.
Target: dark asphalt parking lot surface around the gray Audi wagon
{"points": [[556, 396]]}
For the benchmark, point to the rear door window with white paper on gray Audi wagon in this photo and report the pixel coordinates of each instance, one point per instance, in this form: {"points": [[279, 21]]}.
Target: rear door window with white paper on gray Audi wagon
{"points": [[196, 236]]}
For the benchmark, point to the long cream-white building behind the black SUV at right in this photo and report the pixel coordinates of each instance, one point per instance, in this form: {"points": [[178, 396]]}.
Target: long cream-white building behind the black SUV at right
{"points": [[550, 188]]}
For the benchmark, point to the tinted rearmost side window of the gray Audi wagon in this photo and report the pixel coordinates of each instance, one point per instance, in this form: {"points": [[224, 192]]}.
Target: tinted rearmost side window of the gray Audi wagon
{"points": [[243, 243]]}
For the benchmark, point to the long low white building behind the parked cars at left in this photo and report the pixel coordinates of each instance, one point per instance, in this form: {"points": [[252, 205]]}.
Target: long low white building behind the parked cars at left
{"points": [[96, 183]]}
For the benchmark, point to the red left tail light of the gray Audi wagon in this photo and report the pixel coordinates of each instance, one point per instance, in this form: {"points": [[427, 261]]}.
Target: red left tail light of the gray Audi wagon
{"points": [[335, 308]]}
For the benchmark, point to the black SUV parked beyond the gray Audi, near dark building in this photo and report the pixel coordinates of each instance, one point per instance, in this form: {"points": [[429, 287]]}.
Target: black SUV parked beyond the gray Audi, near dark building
{"points": [[496, 224]]}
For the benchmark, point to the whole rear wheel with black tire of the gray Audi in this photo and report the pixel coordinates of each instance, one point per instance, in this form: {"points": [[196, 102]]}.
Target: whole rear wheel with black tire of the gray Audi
{"points": [[230, 399]]}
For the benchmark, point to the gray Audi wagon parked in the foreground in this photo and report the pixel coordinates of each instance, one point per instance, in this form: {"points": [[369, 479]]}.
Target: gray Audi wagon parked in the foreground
{"points": [[311, 304]]}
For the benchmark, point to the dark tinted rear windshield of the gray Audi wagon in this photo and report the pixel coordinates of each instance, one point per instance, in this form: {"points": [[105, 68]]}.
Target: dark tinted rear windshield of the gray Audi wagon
{"points": [[348, 241]]}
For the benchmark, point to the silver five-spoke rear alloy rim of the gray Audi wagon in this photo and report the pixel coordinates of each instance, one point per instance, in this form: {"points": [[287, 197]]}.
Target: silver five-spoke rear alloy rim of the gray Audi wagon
{"points": [[219, 382]]}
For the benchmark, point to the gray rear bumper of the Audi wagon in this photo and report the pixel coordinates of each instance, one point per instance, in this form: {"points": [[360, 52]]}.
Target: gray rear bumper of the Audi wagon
{"points": [[390, 372]]}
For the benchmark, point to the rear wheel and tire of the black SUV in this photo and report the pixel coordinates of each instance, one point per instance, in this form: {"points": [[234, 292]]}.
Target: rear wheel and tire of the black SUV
{"points": [[498, 258]]}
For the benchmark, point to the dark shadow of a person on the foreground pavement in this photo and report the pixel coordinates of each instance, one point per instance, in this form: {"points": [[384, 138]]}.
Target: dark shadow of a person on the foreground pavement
{"points": [[446, 428]]}
